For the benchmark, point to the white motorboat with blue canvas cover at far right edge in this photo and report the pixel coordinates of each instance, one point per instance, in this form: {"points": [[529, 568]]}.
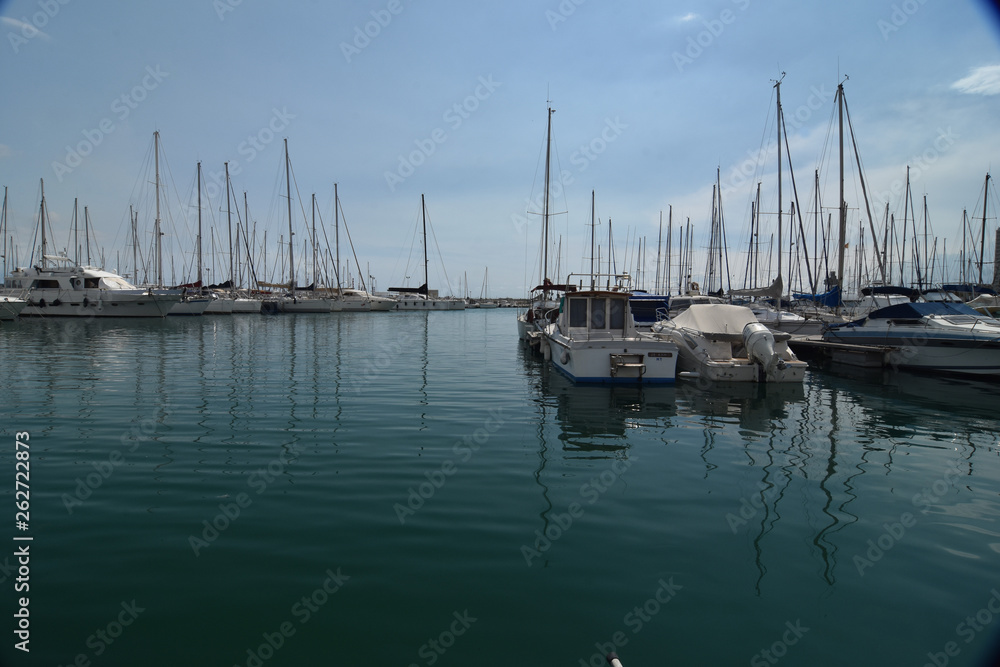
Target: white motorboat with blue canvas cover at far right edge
{"points": [[938, 337]]}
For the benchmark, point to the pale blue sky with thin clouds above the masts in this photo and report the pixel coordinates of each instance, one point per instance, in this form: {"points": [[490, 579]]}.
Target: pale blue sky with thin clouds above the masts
{"points": [[394, 98]]}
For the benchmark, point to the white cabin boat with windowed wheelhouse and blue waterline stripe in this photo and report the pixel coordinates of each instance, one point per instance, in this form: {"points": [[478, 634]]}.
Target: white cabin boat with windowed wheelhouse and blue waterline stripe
{"points": [[594, 339]]}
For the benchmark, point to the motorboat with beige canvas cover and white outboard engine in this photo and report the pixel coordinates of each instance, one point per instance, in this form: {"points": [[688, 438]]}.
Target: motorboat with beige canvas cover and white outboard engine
{"points": [[726, 343]]}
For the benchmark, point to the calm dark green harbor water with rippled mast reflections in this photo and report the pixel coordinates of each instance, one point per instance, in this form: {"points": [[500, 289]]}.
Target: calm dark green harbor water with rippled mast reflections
{"points": [[412, 489]]}
